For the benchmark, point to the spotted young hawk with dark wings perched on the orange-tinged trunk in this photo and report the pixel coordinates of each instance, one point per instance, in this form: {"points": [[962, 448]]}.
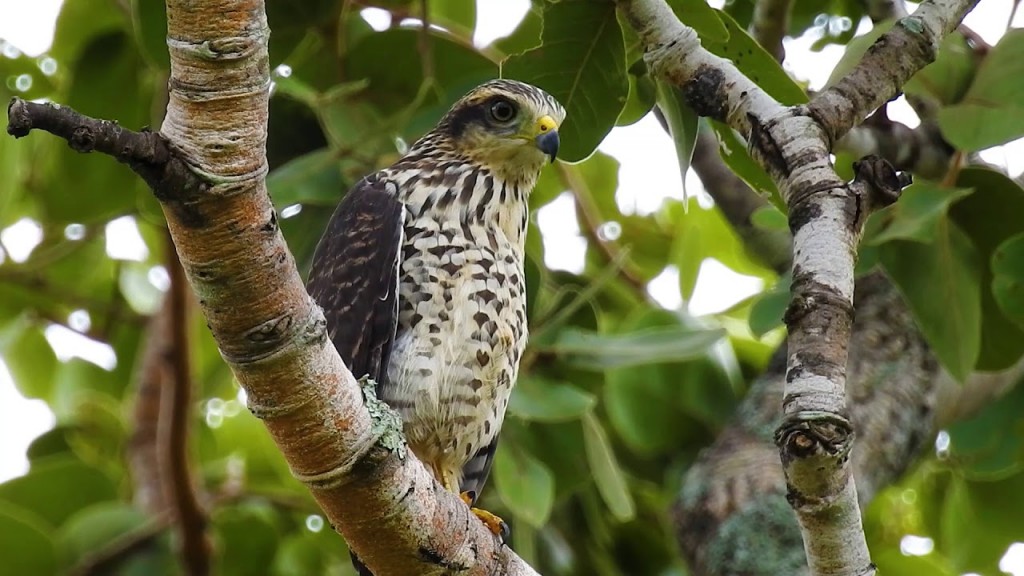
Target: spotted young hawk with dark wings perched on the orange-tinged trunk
{"points": [[420, 275]]}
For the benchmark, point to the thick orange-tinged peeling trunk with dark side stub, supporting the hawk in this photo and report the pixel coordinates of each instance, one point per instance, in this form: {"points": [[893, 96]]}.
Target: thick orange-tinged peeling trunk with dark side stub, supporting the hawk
{"points": [[207, 167]]}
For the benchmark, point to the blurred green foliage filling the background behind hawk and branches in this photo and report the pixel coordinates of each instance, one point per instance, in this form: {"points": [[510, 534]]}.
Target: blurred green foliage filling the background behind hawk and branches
{"points": [[618, 395]]}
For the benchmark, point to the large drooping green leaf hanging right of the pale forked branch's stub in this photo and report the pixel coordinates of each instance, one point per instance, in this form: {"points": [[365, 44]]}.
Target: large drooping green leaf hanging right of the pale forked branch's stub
{"points": [[943, 285]]}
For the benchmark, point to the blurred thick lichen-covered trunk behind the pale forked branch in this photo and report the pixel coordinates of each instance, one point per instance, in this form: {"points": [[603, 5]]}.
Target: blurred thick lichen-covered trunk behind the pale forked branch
{"points": [[732, 516]]}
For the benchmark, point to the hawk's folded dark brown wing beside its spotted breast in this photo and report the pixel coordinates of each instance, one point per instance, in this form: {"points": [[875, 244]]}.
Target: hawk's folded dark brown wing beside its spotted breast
{"points": [[355, 277]]}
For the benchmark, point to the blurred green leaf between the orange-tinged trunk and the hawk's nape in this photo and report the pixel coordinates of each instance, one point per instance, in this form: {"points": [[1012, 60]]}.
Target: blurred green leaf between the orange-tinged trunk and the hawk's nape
{"points": [[313, 179]]}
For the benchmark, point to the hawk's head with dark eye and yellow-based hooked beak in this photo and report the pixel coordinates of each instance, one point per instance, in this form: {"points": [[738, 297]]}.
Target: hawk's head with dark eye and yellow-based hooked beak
{"points": [[509, 127]]}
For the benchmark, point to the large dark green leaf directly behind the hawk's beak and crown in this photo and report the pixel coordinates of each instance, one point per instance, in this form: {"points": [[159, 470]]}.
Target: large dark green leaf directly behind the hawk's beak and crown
{"points": [[582, 63]]}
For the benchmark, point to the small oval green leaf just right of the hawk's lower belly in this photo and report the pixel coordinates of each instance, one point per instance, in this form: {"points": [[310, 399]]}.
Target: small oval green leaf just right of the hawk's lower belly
{"points": [[547, 401]]}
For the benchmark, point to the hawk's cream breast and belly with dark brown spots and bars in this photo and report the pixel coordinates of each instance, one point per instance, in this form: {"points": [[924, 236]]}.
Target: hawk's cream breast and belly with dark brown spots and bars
{"points": [[462, 316]]}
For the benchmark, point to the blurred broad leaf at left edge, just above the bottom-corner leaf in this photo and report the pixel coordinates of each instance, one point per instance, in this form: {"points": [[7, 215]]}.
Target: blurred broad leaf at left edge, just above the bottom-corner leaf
{"points": [[59, 487]]}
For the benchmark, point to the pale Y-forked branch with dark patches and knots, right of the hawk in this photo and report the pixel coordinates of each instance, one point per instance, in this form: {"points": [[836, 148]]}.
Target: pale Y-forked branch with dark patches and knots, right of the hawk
{"points": [[827, 218]]}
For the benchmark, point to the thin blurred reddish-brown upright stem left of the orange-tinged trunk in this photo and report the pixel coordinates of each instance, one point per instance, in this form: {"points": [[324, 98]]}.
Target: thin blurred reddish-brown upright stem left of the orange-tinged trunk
{"points": [[173, 434]]}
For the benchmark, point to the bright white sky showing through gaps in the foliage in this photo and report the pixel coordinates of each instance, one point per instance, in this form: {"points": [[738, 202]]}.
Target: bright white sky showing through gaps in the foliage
{"points": [[650, 174]]}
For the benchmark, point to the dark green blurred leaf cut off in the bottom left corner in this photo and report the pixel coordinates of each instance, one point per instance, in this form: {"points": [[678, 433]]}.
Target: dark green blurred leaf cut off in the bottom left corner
{"points": [[26, 542]]}
